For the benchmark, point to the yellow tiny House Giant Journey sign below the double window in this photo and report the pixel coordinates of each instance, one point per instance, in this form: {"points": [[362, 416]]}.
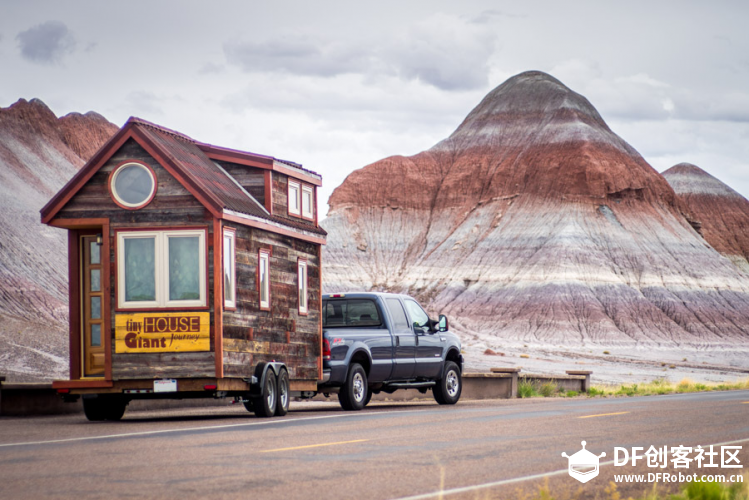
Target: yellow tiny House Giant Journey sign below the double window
{"points": [[162, 332]]}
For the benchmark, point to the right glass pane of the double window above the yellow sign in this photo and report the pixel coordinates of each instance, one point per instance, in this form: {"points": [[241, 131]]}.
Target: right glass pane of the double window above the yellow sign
{"points": [[184, 268]]}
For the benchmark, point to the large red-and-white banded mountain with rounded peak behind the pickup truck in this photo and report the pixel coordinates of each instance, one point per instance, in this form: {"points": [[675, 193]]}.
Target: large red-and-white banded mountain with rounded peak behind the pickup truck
{"points": [[534, 222]]}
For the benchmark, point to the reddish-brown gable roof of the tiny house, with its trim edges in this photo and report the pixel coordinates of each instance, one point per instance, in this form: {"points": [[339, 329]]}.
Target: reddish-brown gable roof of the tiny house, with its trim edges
{"points": [[191, 164]]}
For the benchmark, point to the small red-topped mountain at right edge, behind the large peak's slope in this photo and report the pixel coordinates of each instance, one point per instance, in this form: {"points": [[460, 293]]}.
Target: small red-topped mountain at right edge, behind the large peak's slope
{"points": [[718, 212]]}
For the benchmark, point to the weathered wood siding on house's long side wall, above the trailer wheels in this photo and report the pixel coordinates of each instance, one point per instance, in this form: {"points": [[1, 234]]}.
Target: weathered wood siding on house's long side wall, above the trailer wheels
{"points": [[281, 334]]}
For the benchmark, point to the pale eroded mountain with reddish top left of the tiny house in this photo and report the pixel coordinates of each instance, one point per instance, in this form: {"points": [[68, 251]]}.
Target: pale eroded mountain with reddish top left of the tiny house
{"points": [[38, 154]]}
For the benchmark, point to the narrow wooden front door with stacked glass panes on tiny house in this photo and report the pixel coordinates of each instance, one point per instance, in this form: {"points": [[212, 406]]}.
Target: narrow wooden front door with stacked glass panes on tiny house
{"points": [[92, 310]]}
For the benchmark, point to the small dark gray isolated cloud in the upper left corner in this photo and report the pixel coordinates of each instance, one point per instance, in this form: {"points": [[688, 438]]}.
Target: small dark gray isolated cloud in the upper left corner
{"points": [[46, 43]]}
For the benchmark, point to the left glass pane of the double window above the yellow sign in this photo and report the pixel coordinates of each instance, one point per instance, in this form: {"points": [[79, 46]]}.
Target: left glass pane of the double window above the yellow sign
{"points": [[140, 269]]}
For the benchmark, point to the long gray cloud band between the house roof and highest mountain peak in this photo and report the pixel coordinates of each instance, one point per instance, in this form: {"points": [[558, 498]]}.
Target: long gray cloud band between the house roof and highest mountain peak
{"points": [[446, 52]]}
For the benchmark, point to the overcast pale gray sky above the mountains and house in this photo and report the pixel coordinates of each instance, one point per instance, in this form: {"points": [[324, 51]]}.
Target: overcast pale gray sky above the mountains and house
{"points": [[336, 85]]}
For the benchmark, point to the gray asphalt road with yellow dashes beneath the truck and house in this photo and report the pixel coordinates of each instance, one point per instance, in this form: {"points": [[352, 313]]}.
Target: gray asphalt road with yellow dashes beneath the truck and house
{"points": [[476, 449]]}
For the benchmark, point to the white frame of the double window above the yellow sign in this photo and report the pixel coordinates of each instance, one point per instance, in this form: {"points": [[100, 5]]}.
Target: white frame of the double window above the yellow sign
{"points": [[161, 264]]}
